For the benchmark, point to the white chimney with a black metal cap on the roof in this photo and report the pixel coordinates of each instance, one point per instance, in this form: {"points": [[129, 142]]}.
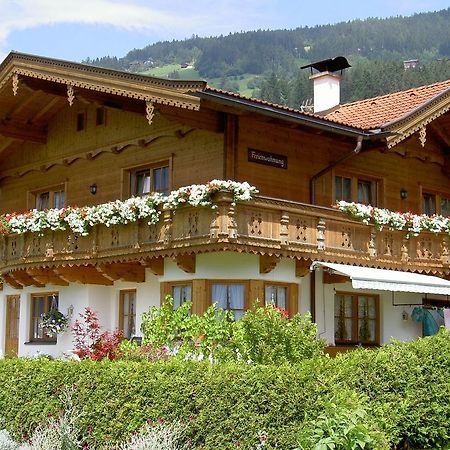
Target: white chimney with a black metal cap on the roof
{"points": [[327, 83]]}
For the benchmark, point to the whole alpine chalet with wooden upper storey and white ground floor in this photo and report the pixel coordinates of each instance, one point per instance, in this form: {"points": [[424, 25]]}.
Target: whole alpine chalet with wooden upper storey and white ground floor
{"points": [[72, 134]]}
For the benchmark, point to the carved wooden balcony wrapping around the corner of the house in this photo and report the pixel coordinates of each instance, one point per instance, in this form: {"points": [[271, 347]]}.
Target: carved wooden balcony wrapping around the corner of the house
{"points": [[269, 227]]}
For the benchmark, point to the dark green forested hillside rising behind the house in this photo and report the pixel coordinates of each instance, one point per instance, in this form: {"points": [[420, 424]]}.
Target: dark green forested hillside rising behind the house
{"points": [[271, 59]]}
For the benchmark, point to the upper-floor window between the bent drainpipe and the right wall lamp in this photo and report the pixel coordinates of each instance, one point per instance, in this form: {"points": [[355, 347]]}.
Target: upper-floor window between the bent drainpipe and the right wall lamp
{"points": [[355, 189]]}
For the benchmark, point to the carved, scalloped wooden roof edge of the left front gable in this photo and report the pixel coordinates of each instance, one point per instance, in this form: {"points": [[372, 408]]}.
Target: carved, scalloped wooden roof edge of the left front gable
{"points": [[173, 93]]}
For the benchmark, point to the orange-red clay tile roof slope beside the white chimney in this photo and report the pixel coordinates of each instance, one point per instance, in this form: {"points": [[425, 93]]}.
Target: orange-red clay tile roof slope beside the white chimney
{"points": [[368, 114]]}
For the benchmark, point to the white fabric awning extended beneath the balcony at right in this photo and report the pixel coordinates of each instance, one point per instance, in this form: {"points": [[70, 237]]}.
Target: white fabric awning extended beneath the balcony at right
{"points": [[388, 280]]}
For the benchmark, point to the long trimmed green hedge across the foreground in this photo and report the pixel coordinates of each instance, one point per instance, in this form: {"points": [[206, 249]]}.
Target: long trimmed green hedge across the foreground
{"points": [[403, 388]]}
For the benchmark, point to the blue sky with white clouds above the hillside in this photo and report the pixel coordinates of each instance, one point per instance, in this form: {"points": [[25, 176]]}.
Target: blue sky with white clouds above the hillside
{"points": [[76, 29]]}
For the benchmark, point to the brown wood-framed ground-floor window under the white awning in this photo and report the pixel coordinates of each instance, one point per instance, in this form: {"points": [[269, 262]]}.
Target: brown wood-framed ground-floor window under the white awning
{"points": [[356, 318]]}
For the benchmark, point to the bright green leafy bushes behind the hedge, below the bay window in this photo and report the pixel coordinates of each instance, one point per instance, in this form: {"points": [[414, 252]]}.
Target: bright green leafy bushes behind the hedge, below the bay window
{"points": [[264, 336]]}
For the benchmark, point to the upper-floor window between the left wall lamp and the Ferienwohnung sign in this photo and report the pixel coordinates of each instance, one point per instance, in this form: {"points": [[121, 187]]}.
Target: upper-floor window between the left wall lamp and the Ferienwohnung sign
{"points": [[149, 179]]}
